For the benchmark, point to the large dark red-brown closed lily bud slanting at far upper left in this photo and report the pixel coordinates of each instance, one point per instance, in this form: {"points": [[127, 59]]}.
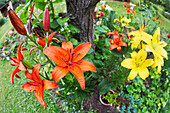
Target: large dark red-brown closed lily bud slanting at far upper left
{"points": [[16, 22]]}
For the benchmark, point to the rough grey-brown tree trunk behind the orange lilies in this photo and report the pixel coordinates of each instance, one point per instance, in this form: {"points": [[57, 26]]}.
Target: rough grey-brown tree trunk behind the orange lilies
{"points": [[81, 14]]}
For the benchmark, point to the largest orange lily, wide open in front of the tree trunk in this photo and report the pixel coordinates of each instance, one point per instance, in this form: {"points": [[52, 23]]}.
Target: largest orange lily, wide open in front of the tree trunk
{"points": [[69, 59]]}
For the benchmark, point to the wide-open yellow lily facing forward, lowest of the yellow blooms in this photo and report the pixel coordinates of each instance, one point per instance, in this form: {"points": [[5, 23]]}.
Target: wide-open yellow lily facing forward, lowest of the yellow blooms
{"points": [[138, 63]]}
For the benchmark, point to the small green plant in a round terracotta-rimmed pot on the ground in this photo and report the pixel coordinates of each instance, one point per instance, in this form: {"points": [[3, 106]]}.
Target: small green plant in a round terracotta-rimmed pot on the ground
{"points": [[110, 98]]}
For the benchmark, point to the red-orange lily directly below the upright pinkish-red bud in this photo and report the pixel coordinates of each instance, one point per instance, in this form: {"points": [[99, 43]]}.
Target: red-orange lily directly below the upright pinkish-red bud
{"points": [[42, 42]]}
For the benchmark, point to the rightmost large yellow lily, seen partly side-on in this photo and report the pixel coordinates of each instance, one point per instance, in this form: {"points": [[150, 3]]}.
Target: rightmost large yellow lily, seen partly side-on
{"points": [[156, 47]]}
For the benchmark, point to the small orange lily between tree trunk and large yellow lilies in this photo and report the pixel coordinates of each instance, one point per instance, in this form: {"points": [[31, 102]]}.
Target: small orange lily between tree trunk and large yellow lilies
{"points": [[117, 43]]}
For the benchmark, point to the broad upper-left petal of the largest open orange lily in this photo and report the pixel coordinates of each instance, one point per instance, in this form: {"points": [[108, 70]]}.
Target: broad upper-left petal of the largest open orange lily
{"points": [[57, 54]]}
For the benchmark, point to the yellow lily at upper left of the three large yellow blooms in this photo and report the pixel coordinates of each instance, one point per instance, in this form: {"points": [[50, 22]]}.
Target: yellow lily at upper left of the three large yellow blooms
{"points": [[139, 36]]}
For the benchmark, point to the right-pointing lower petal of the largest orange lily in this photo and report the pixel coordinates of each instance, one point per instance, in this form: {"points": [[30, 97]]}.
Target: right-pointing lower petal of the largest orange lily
{"points": [[86, 66]]}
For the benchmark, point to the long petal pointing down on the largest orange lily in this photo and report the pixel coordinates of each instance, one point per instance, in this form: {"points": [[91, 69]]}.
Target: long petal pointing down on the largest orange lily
{"points": [[78, 73]]}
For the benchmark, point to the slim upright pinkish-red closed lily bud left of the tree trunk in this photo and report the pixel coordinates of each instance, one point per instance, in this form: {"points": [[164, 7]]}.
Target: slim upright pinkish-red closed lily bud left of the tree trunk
{"points": [[46, 20]]}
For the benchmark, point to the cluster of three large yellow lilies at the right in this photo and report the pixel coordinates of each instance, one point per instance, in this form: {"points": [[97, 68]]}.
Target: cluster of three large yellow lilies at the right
{"points": [[139, 62]]}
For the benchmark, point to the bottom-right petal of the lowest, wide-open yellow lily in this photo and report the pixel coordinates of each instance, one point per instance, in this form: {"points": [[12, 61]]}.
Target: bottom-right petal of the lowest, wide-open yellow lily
{"points": [[143, 73]]}
